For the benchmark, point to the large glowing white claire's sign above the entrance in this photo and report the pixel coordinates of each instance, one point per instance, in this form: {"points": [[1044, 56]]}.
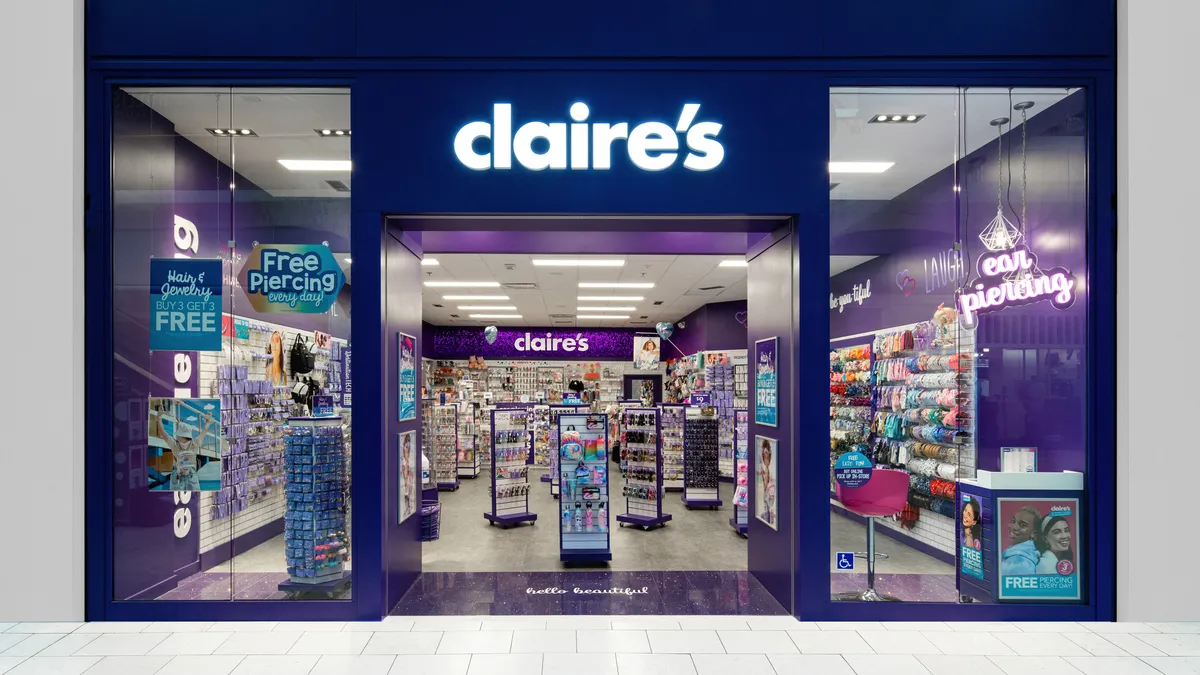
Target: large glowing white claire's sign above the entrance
{"points": [[539, 146]]}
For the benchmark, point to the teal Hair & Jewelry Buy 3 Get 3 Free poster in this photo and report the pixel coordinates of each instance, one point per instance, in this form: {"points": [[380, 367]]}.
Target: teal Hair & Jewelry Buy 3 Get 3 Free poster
{"points": [[185, 304]]}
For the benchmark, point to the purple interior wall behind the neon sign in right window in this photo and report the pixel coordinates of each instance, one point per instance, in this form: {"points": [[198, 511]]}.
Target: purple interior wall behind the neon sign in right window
{"points": [[1033, 392]]}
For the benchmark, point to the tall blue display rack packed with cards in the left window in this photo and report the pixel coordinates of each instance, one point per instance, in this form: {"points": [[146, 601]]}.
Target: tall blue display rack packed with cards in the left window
{"points": [[315, 523]]}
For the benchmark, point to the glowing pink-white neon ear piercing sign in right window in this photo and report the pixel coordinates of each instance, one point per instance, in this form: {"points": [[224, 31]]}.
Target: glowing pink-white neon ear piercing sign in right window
{"points": [[1012, 278]]}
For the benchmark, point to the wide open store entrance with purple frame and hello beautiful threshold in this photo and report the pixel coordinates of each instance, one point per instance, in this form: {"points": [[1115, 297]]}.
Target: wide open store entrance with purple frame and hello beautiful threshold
{"points": [[571, 404]]}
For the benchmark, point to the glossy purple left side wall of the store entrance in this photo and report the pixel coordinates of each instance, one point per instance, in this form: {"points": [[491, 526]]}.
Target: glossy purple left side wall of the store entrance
{"points": [[403, 304]]}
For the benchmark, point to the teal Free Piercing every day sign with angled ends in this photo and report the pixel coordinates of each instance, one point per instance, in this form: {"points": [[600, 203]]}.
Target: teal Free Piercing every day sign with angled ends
{"points": [[292, 278]]}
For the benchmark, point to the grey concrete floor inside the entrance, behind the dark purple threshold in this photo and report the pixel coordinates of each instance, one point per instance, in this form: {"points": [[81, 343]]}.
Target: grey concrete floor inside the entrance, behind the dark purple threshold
{"points": [[693, 541]]}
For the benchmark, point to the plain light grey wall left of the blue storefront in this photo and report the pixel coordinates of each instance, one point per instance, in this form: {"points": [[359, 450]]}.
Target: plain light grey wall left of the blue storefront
{"points": [[41, 214]]}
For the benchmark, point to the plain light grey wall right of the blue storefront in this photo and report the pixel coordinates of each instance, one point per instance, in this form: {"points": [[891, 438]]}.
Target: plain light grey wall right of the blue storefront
{"points": [[1159, 447]]}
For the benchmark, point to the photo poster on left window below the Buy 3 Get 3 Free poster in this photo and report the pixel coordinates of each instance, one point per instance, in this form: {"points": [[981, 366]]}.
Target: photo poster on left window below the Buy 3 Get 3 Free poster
{"points": [[184, 453]]}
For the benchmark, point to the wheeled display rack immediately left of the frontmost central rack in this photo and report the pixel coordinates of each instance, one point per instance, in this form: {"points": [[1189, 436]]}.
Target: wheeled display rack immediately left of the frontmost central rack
{"points": [[511, 469]]}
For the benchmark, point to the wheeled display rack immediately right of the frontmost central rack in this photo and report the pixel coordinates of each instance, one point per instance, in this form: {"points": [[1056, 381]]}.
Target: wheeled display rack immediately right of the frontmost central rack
{"points": [[644, 471]]}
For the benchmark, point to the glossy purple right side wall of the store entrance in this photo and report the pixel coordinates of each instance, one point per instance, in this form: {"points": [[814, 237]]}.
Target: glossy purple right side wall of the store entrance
{"points": [[770, 300]]}
